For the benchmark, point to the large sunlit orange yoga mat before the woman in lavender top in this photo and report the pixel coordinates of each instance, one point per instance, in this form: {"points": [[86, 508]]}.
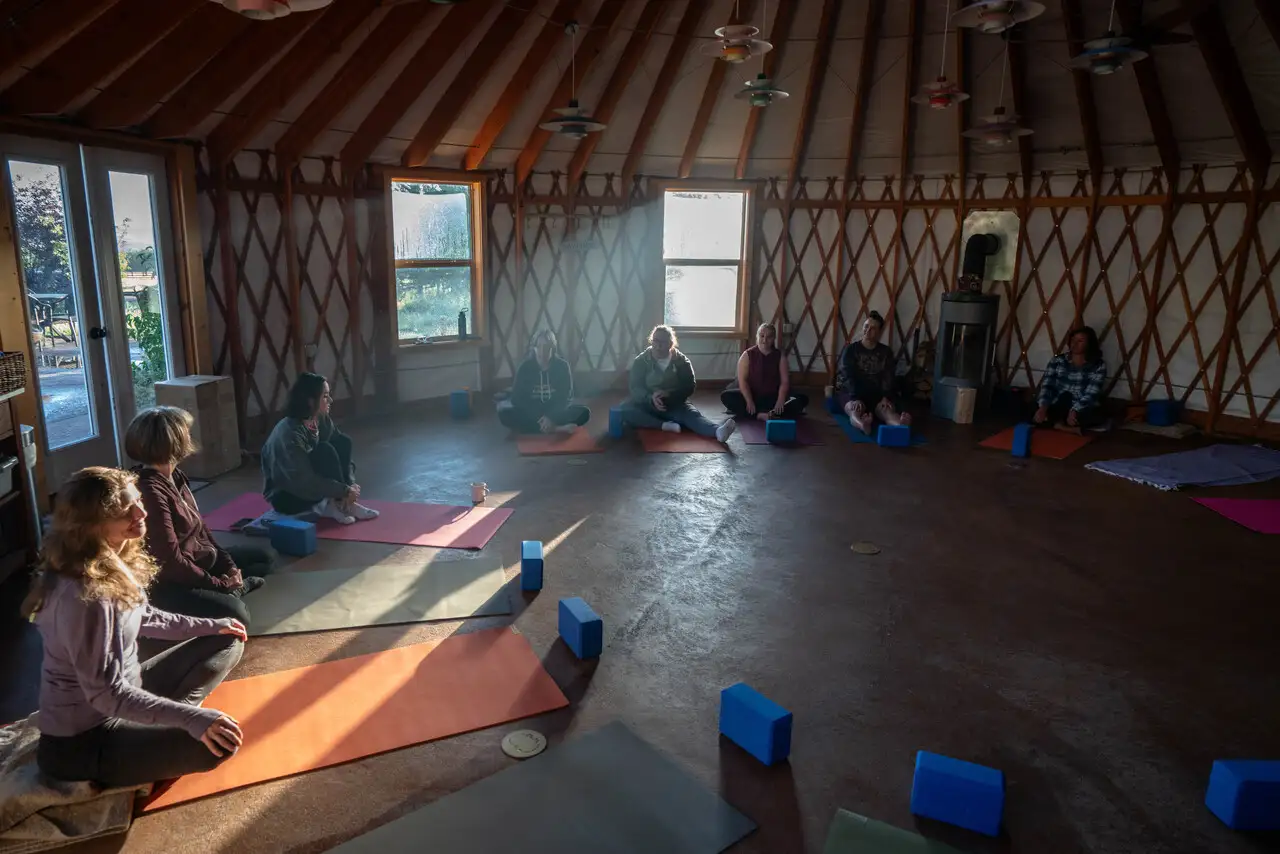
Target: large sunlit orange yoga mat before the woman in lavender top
{"points": [[318, 716]]}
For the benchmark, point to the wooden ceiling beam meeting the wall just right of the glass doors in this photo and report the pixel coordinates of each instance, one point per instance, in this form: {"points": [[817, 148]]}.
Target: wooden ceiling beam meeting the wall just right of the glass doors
{"points": [[264, 102]]}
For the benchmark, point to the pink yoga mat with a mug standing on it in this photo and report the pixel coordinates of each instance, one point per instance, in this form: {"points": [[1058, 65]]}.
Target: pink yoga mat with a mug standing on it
{"points": [[440, 526]]}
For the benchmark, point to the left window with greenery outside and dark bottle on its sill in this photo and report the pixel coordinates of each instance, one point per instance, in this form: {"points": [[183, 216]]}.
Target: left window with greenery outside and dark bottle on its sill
{"points": [[437, 248]]}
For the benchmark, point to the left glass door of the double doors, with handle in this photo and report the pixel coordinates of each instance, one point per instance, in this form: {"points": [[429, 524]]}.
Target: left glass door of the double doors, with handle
{"points": [[52, 220]]}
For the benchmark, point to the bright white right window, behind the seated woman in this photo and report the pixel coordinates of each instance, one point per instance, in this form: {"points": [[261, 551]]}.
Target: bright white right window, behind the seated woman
{"points": [[703, 252]]}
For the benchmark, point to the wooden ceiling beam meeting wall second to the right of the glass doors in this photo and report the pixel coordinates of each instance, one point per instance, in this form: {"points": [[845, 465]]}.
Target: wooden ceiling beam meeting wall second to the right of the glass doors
{"points": [[351, 80]]}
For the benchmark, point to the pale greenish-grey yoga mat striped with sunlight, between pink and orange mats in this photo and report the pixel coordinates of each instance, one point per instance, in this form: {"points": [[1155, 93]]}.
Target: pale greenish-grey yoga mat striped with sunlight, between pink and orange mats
{"points": [[378, 596]]}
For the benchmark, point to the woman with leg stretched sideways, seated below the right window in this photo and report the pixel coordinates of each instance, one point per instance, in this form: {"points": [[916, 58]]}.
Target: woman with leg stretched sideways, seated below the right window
{"points": [[661, 383]]}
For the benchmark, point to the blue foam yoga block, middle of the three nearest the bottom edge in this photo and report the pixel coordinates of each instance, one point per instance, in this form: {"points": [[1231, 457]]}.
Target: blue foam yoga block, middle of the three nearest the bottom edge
{"points": [[958, 793]]}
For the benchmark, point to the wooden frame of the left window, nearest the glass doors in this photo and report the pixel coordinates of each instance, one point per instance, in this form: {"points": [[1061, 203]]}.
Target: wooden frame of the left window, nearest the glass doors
{"points": [[479, 319]]}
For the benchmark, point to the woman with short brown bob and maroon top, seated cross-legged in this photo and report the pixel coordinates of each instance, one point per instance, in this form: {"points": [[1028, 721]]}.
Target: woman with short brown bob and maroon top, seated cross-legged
{"points": [[198, 577]]}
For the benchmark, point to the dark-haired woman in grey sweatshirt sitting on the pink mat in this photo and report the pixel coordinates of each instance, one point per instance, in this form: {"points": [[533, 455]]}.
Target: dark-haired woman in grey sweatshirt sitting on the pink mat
{"points": [[307, 460]]}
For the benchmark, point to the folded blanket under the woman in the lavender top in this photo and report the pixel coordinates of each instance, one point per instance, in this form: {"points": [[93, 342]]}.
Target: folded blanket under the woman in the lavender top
{"points": [[39, 814]]}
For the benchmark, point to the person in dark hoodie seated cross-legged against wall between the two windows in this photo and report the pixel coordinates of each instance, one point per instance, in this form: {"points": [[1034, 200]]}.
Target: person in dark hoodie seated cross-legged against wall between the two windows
{"points": [[542, 395]]}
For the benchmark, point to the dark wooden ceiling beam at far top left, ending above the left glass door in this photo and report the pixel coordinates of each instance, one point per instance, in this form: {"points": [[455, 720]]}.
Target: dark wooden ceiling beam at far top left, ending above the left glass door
{"points": [[111, 42]]}
